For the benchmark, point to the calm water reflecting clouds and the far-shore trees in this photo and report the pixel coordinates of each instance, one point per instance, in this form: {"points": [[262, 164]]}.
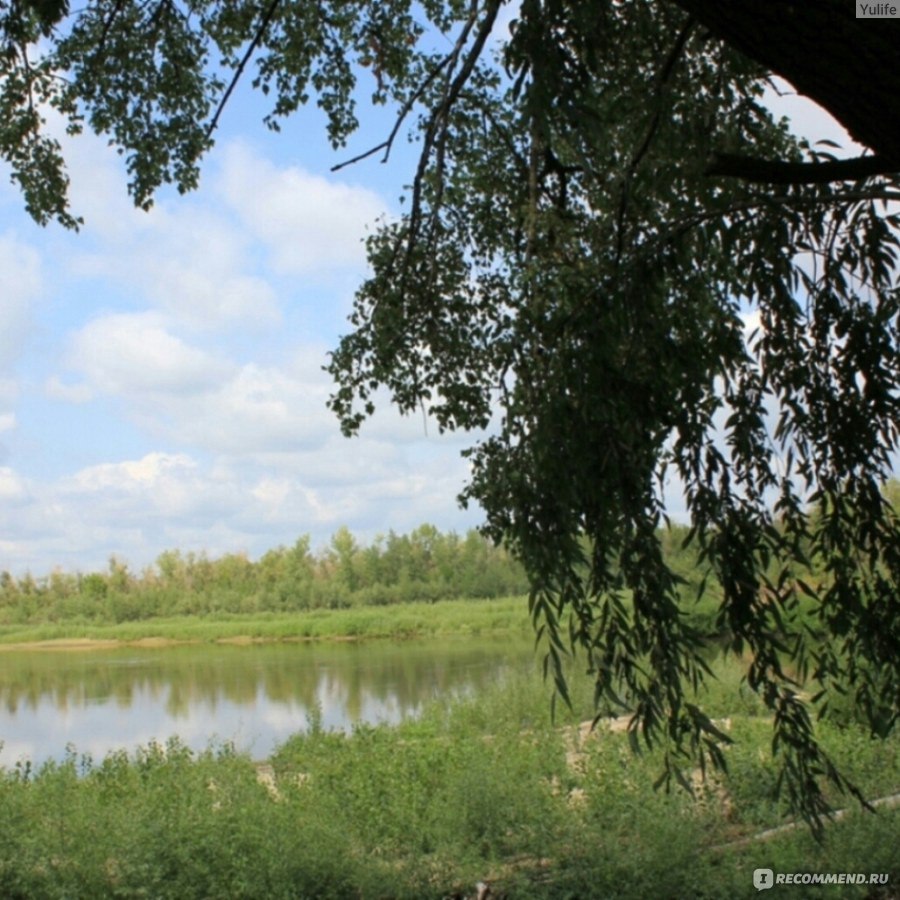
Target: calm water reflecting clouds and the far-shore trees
{"points": [[255, 696]]}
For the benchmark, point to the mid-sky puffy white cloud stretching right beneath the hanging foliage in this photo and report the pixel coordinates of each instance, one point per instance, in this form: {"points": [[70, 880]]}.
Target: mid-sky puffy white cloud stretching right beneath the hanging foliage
{"points": [[277, 414]]}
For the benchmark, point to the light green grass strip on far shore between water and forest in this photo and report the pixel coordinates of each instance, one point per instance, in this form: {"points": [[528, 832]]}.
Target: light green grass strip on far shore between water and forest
{"points": [[446, 617]]}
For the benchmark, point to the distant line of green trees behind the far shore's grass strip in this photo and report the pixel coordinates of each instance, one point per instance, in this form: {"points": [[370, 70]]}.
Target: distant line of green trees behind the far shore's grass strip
{"points": [[423, 565]]}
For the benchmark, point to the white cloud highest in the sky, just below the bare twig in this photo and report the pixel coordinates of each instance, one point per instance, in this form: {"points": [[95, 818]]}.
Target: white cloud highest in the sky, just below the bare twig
{"points": [[310, 224]]}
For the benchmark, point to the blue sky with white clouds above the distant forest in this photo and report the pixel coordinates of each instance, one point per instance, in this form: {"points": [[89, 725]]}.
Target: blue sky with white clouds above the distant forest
{"points": [[161, 382]]}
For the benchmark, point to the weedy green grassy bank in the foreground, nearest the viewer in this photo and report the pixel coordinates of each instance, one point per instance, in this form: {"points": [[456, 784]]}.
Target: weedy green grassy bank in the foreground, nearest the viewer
{"points": [[481, 789]]}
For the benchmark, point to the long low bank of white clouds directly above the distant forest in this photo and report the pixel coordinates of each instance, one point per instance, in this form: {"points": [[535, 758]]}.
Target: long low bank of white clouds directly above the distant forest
{"points": [[135, 508]]}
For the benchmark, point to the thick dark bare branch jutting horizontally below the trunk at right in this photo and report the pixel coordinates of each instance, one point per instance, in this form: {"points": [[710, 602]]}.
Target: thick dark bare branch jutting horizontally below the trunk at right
{"points": [[776, 171]]}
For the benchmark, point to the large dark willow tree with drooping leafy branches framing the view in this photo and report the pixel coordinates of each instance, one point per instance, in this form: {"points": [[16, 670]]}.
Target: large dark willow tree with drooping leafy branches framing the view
{"points": [[614, 253]]}
